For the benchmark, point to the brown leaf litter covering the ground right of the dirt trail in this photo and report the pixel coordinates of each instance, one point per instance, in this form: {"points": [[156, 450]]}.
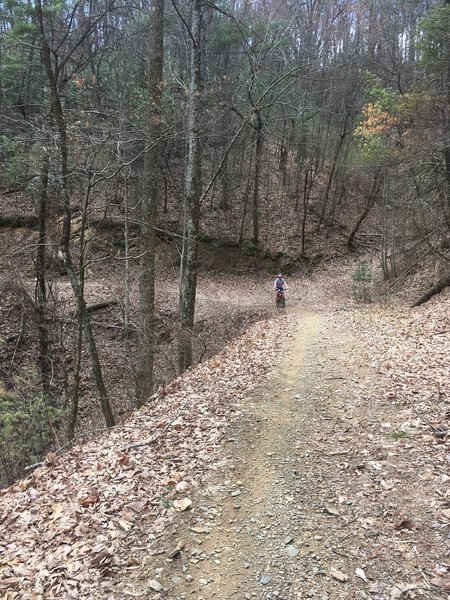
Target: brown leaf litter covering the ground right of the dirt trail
{"points": [[408, 438]]}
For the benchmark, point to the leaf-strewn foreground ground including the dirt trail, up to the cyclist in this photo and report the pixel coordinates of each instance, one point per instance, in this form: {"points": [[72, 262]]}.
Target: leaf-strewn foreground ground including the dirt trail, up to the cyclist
{"points": [[309, 459]]}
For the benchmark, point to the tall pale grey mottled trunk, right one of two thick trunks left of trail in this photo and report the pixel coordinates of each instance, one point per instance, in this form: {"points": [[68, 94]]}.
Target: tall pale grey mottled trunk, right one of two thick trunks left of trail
{"points": [[188, 276]]}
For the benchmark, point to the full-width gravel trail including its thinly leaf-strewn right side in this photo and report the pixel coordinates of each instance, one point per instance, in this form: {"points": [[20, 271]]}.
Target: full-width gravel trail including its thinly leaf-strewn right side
{"points": [[305, 506]]}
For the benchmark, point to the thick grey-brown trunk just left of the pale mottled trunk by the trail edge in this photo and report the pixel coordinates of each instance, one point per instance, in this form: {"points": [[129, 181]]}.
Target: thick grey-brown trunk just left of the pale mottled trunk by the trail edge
{"points": [[149, 210]]}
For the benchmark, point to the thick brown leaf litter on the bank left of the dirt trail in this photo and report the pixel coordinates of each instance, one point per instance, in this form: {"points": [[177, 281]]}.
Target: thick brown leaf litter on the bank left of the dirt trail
{"points": [[77, 521]]}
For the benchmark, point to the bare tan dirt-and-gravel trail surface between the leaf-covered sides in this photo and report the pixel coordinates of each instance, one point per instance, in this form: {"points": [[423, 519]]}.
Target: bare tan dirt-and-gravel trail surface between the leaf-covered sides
{"points": [[251, 533]]}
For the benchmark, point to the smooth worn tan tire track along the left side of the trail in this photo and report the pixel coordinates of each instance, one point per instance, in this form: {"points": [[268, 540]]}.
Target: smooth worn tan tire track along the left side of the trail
{"points": [[241, 538]]}
